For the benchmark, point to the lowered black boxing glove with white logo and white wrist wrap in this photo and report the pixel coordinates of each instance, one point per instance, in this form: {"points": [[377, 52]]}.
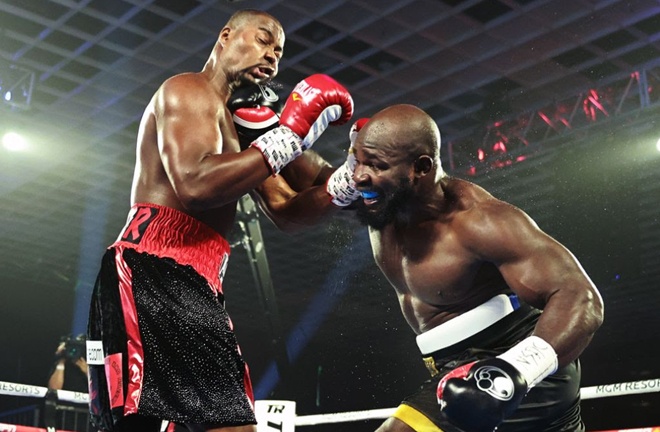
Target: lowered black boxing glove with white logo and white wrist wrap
{"points": [[478, 396]]}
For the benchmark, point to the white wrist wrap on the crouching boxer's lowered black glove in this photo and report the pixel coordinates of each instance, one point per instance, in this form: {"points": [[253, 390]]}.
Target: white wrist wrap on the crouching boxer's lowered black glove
{"points": [[534, 358]]}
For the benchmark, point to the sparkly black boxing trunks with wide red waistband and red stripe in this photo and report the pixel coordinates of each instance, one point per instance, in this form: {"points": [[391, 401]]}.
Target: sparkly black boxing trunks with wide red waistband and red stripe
{"points": [[160, 342]]}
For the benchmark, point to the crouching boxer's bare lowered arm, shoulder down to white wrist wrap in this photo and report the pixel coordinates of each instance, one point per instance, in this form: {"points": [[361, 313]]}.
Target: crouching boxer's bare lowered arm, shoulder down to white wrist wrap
{"points": [[542, 272]]}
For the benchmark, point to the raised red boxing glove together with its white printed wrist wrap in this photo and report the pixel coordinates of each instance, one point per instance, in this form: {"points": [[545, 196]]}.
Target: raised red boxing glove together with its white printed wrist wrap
{"points": [[315, 103]]}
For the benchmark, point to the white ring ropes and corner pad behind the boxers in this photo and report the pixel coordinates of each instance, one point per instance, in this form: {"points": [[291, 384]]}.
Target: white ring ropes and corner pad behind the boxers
{"points": [[280, 415]]}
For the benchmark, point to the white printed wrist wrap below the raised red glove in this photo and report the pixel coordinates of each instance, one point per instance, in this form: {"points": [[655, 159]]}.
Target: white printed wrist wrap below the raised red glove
{"points": [[279, 146]]}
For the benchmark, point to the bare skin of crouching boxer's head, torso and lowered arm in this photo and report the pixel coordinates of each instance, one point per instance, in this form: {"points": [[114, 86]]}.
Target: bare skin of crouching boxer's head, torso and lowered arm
{"points": [[451, 245]]}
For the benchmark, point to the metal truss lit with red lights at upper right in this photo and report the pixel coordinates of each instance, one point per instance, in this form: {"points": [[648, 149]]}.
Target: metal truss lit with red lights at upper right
{"points": [[512, 140]]}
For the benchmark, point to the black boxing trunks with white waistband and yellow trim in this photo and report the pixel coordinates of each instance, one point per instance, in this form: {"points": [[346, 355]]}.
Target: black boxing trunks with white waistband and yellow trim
{"points": [[552, 405]]}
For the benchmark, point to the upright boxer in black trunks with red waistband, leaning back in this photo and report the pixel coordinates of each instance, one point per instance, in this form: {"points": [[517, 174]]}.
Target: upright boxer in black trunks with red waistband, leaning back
{"points": [[160, 342]]}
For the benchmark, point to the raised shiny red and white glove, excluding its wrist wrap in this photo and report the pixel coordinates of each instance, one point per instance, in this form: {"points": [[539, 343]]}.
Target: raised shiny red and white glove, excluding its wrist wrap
{"points": [[314, 103]]}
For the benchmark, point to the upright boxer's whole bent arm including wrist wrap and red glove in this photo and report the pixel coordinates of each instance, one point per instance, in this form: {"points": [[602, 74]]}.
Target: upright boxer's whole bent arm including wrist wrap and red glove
{"points": [[203, 173]]}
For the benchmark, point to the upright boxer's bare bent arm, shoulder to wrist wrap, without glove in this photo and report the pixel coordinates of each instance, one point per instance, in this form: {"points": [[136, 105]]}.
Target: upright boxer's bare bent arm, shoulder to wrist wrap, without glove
{"points": [[195, 158]]}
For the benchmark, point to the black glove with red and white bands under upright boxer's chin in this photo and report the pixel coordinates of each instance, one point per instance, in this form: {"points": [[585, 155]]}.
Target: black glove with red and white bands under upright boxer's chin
{"points": [[255, 110]]}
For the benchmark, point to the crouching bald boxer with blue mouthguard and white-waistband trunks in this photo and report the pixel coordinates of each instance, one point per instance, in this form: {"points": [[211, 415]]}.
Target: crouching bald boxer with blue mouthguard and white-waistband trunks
{"points": [[501, 310]]}
